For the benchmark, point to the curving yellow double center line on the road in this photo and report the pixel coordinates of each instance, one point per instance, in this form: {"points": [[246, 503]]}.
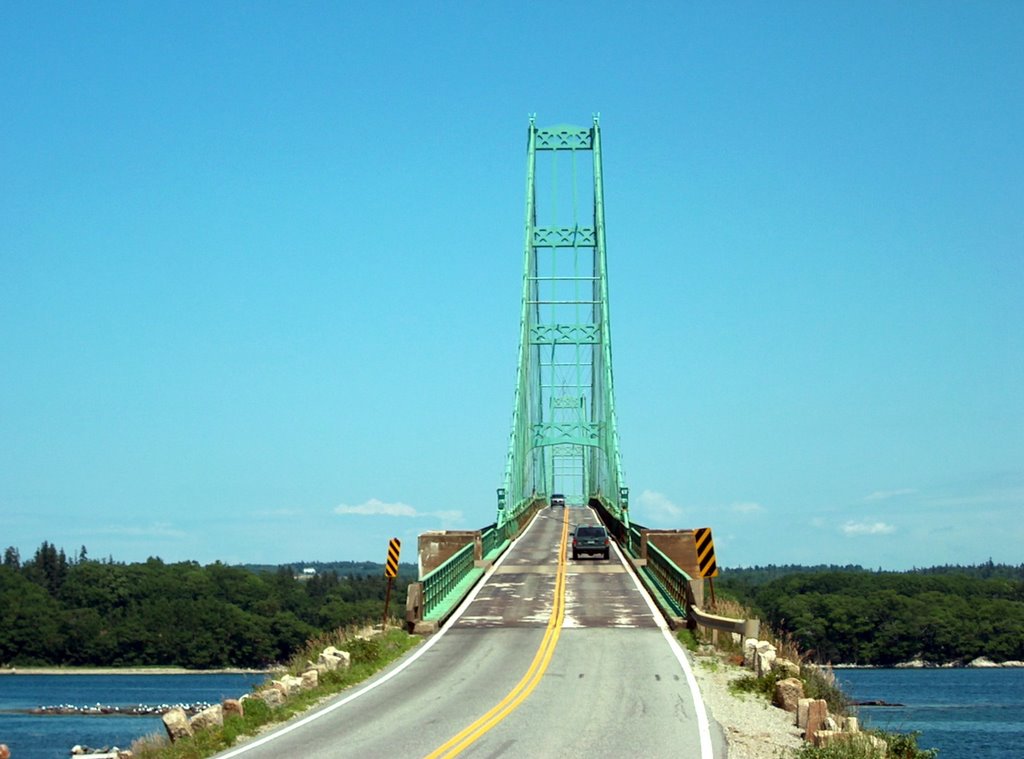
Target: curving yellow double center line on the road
{"points": [[537, 668]]}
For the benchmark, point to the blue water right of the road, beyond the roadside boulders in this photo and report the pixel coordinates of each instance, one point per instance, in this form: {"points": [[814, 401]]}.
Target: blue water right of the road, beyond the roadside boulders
{"points": [[972, 713]]}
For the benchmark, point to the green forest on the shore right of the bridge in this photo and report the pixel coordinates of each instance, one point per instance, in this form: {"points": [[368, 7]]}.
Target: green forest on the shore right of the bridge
{"points": [[855, 616]]}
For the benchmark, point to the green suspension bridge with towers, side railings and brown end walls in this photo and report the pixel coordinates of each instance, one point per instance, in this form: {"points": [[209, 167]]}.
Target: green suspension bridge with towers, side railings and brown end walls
{"points": [[565, 439]]}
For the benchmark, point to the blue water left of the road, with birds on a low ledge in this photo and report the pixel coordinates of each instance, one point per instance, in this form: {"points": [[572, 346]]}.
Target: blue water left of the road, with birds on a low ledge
{"points": [[51, 737]]}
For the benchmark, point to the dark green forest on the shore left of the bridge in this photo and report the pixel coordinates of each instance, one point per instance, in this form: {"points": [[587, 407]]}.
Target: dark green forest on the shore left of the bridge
{"points": [[58, 610]]}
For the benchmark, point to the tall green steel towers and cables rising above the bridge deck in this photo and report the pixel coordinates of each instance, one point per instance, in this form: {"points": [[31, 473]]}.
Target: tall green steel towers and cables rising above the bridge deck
{"points": [[564, 421]]}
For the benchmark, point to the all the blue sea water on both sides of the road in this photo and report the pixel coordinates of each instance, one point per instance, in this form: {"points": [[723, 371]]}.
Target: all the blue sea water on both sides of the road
{"points": [[969, 713]]}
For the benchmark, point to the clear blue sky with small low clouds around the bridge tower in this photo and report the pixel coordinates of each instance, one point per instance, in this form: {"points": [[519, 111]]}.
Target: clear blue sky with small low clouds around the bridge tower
{"points": [[260, 272]]}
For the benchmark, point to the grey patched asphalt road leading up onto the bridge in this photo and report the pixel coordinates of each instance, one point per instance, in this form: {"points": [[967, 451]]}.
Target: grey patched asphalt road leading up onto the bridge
{"points": [[614, 685]]}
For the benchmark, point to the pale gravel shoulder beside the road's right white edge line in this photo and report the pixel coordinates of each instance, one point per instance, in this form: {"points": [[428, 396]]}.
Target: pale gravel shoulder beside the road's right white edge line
{"points": [[753, 728]]}
